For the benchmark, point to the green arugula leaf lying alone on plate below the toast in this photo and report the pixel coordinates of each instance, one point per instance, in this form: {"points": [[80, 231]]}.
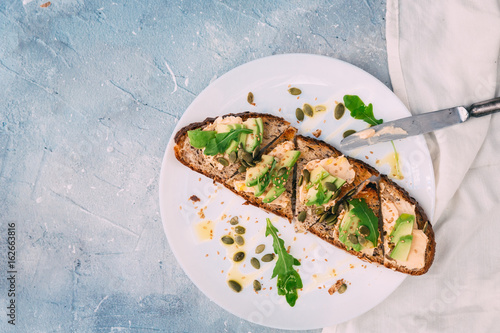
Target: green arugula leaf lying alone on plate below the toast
{"points": [[289, 280]]}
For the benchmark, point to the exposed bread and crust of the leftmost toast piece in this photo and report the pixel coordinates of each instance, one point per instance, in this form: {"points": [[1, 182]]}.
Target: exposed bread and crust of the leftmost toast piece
{"points": [[194, 158]]}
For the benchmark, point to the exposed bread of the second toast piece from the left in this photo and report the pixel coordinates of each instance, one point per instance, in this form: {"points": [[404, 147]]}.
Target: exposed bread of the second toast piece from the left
{"points": [[284, 208]]}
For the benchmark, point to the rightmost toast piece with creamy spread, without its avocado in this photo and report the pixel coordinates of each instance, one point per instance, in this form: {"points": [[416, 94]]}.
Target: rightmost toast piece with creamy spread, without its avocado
{"points": [[395, 200]]}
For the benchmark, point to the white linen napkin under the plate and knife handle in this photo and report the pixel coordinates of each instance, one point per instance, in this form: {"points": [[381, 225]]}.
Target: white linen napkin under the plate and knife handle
{"points": [[443, 54]]}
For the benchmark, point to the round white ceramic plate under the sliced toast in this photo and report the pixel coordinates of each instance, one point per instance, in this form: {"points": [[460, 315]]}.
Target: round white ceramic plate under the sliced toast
{"points": [[206, 262]]}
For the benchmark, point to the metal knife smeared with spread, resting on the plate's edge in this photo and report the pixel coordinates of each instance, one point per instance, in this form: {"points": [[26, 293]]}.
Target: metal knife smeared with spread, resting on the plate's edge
{"points": [[420, 124]]}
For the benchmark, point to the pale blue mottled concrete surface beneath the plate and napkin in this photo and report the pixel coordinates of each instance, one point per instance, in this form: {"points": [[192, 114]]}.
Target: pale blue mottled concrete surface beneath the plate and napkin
{"points": [[90, 92]]}
